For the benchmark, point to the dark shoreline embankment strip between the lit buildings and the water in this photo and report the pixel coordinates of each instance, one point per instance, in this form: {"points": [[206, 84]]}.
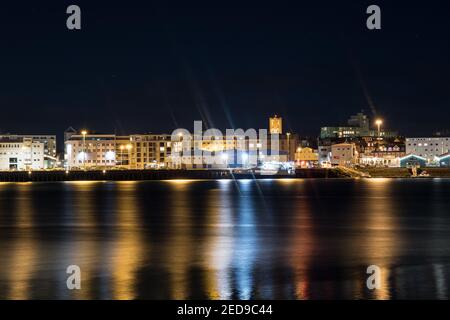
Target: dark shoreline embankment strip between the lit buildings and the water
{"points": [[139, 175]]}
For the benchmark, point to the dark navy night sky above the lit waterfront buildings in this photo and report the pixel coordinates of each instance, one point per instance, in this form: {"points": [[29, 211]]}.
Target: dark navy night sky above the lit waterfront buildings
{"points": [[154, 66]]}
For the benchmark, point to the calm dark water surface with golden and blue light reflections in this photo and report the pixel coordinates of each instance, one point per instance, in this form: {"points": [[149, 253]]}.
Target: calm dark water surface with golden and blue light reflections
{"points": [[268, 239]]}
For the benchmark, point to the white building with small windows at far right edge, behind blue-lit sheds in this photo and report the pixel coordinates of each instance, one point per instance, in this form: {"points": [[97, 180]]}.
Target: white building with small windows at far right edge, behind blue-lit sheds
{"points": [[429, 148]]}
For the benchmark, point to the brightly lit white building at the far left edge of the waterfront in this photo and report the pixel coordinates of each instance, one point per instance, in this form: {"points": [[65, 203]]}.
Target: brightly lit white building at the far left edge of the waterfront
{"points": [[21, 154]]}
